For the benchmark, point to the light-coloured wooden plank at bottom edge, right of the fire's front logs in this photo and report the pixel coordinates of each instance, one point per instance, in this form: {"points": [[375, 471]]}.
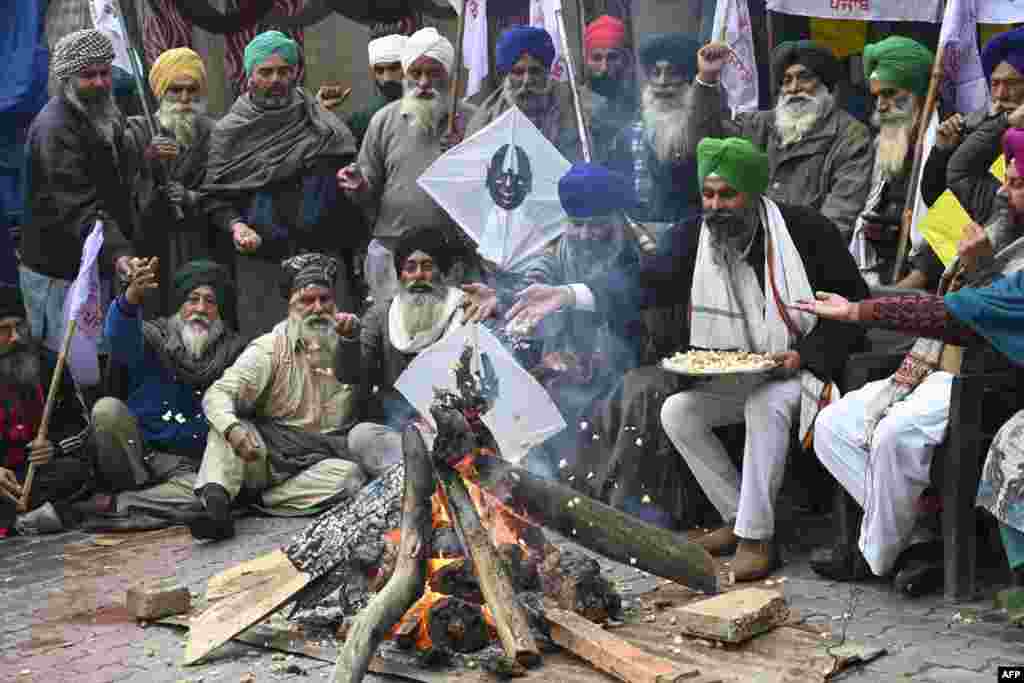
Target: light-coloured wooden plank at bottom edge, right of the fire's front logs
{"points": [[611, 654]]}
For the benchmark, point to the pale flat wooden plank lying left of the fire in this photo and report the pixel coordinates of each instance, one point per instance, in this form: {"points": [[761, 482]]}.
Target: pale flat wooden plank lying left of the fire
{"points": [[276, 585]]}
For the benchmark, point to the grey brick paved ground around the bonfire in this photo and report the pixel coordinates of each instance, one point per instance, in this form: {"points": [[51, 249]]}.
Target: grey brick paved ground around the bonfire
{"points": [[63, 618]]}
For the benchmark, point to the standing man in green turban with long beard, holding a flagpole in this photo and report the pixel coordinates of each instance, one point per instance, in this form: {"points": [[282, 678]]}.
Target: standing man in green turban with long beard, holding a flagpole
{"points": [[898, 71]]}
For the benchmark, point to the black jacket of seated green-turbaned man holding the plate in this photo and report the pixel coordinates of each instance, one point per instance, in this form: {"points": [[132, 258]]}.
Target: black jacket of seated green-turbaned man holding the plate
{"points": [[666, 278]]}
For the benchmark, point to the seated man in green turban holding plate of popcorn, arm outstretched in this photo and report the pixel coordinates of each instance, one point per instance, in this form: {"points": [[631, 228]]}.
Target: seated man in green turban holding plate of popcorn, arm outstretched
{"points": [[739, 270]]}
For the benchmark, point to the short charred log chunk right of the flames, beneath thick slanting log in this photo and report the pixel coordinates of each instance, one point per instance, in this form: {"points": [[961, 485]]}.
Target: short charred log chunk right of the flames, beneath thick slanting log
{"points": [[575, 583]]}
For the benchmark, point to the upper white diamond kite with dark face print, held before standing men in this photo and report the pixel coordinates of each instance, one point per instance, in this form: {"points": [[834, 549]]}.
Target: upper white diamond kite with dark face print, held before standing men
{"points": [[501, 187]]}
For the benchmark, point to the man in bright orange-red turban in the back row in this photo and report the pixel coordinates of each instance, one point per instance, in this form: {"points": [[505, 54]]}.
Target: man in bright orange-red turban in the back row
{"points": [[610, 72]]}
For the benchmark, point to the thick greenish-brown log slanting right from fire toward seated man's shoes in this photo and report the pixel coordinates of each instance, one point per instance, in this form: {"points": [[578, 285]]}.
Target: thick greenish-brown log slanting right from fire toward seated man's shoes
{"points": [[603, 529]]}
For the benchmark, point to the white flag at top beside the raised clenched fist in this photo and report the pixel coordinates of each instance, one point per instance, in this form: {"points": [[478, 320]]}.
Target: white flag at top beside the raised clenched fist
{"points": [[740, 78]]}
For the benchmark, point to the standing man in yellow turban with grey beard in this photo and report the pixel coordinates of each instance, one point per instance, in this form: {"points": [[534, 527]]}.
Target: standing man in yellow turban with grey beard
{"points": [[178, 79]]}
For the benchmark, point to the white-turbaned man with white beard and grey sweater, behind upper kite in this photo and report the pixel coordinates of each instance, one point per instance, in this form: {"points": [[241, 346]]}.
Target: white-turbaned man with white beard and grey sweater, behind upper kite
{"points": [[405, 138]]}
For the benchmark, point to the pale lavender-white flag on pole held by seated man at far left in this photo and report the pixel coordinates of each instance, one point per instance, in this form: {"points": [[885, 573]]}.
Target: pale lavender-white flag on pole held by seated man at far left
{"points": [[83, 304]]}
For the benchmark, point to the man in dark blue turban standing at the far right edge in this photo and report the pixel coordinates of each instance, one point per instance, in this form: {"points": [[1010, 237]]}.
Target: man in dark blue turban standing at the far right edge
{"points": [[967, 145]]}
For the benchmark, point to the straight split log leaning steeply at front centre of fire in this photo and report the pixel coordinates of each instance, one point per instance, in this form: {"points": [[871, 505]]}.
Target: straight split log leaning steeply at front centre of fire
{"points": [[496, 584]]}
